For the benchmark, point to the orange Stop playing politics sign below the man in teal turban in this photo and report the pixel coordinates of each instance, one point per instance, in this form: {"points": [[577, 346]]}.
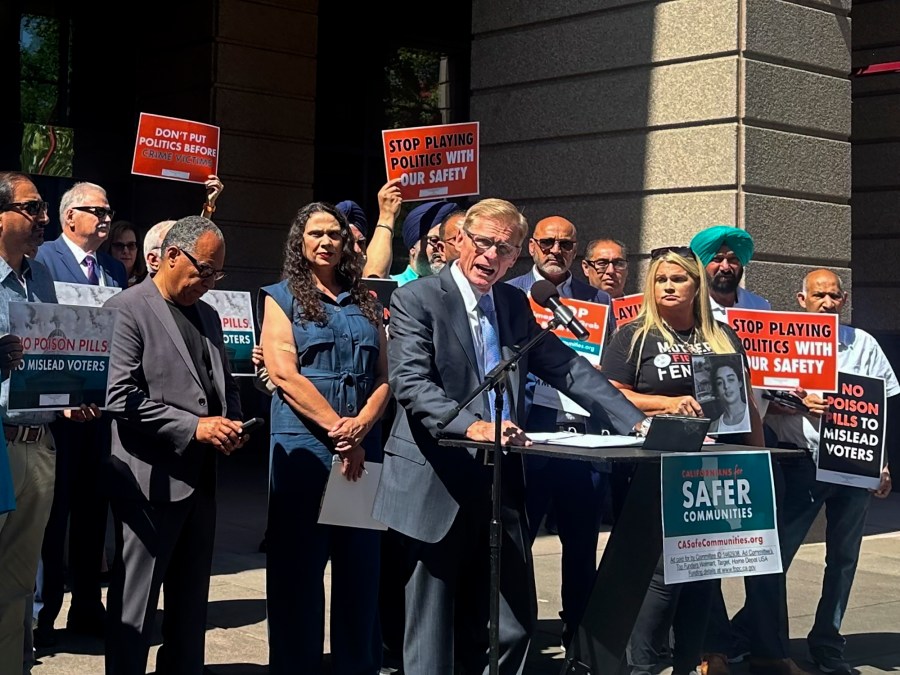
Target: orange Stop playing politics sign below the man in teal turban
{"points": [[788, 350]]}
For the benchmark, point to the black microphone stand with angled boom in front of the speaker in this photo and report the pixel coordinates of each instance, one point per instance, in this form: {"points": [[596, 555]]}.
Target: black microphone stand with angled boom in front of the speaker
{"points": [[496, 380]]}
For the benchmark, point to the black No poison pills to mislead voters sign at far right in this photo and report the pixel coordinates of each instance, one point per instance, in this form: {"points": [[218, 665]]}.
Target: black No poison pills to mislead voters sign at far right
{"points": [[851, 433]]}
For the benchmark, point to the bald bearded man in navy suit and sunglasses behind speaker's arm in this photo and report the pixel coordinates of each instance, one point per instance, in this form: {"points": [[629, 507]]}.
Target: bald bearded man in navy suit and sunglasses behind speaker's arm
{"points": [[574, 487]]}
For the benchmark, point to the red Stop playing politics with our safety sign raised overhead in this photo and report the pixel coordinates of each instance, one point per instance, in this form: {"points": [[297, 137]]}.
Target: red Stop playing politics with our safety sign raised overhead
{"points": [[433, 162]]}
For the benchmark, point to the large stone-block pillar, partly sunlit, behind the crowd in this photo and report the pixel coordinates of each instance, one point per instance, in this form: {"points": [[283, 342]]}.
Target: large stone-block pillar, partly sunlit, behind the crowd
{"points": [[648, 121]]}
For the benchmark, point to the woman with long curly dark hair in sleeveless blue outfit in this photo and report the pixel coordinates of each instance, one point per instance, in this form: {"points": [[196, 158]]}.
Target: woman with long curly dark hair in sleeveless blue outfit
{"points": [[326, 353]]}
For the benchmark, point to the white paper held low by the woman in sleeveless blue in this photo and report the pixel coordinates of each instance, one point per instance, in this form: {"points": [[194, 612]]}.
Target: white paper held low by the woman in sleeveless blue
{"points": [[349, 503]]}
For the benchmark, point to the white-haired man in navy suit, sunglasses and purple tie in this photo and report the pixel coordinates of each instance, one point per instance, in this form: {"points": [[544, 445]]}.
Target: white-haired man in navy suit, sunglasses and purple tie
{"points": [[85, 216]]}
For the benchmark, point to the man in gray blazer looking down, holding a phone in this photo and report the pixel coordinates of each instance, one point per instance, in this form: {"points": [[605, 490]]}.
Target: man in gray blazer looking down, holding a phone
{"points": [[175, 406]]}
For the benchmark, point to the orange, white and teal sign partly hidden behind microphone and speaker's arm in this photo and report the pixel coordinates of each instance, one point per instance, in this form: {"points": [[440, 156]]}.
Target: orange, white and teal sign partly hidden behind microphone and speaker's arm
{"points": [[593, 317]]}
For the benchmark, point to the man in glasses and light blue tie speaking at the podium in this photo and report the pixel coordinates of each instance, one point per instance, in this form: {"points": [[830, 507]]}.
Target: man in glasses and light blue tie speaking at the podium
{"points": [[446, 331]]}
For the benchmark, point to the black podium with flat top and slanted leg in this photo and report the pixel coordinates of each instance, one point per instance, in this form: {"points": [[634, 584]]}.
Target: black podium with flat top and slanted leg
{"points": [[630, 557]]}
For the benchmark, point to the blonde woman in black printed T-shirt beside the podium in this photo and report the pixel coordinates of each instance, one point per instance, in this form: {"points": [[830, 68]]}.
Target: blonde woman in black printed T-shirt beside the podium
{"points": [[649, 360]]}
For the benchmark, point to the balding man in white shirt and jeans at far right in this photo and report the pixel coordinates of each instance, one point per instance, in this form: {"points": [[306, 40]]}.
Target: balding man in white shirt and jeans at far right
{"points": [[804, 497]]}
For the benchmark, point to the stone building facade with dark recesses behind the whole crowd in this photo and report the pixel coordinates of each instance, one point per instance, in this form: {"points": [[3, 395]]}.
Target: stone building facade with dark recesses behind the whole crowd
{"points": [[637, 119]]}
